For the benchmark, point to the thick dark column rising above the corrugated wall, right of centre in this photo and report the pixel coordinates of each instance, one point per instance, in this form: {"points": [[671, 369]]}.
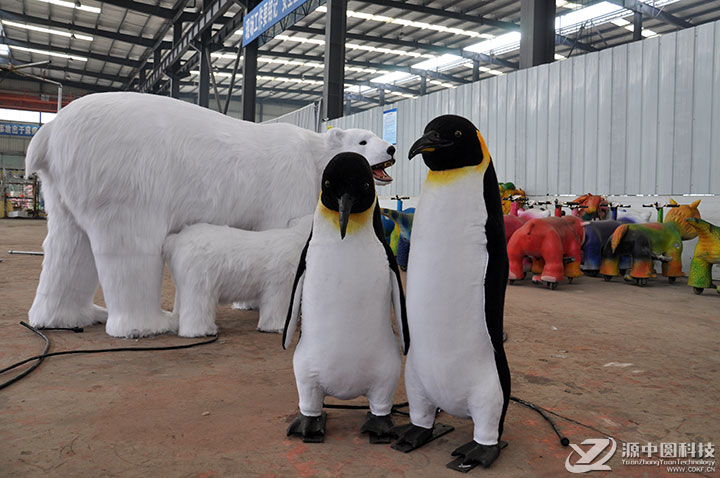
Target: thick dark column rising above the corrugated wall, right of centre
{"points": [[537, 26]]}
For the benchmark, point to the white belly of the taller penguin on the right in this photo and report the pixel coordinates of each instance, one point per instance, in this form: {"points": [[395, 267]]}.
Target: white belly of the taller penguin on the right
{"points": [[451, 360]]}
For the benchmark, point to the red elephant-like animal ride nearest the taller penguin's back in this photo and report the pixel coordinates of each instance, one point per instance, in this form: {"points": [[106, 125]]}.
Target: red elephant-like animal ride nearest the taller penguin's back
{"points": [[553, 244]]}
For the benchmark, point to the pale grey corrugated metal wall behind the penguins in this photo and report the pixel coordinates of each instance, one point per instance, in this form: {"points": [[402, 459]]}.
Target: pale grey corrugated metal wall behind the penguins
{"points": [[640, 118]]}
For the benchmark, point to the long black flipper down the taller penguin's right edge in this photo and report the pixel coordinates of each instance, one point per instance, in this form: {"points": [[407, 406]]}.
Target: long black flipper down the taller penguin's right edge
{"points": [[496, 279]]}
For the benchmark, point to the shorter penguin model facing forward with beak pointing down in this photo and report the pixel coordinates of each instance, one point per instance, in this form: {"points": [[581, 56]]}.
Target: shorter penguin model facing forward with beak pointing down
{"points": [[346, 285]]}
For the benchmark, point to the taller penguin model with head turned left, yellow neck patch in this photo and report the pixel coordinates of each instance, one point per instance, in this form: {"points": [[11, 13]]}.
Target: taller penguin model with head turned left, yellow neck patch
{"points": [[457, 273]]}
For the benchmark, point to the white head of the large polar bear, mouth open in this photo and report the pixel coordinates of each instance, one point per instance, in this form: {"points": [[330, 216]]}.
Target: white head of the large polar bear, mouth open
{"points": [[379, 153]]}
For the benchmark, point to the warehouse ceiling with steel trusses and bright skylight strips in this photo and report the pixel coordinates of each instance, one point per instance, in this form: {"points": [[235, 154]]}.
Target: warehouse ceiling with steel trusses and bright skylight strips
{"points": [[406, 48]]}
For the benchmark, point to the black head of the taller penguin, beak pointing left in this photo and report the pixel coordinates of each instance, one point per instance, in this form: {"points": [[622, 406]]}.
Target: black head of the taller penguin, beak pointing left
{"points": [[449, 142]]}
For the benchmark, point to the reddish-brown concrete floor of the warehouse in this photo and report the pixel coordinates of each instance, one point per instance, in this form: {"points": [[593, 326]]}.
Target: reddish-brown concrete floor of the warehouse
{"points": [[641, 365]]}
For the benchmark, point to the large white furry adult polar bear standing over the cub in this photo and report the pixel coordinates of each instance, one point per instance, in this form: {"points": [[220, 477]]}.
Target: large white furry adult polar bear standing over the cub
{"points": [[122, 170]]}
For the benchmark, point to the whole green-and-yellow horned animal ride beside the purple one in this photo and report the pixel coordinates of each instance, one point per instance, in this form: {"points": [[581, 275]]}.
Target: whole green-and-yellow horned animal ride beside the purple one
{"points": [[648, 242]]}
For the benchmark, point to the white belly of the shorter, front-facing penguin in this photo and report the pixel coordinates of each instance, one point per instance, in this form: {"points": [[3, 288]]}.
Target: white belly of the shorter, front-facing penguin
{"points": [[347, 347]]}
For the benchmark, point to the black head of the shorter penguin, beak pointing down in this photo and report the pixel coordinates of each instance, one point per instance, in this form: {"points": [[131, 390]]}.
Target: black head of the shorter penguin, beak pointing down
{"points": [[347, 187]]}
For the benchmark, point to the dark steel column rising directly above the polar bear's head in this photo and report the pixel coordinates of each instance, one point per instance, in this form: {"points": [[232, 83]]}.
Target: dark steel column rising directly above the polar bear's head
{"points": [[333, 89]]}
